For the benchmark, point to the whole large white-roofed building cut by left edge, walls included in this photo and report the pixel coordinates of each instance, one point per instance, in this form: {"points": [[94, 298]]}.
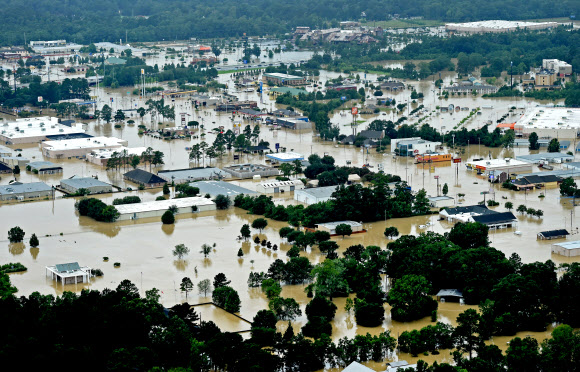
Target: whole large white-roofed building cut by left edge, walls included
{"points": [[32, 130]]}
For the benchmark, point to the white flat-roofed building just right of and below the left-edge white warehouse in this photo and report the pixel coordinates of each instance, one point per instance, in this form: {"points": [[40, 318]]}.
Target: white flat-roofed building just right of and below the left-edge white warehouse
{"points": [[79, 147]]}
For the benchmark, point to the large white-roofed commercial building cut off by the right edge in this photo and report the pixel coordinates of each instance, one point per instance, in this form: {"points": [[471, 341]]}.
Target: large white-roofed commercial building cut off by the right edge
{"points": [[550, 122]]}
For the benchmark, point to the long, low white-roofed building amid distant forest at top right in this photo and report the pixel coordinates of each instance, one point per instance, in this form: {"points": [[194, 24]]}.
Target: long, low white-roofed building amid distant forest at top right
{"points": [[496, 26]]}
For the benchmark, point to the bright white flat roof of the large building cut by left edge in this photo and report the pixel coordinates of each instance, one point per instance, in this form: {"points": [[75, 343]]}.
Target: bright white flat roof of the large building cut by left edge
{"points": [[34, 127]]}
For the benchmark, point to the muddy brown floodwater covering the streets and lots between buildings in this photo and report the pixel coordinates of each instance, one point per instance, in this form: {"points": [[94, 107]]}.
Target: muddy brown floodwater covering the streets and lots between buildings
{"points": [[143, 247]]}
